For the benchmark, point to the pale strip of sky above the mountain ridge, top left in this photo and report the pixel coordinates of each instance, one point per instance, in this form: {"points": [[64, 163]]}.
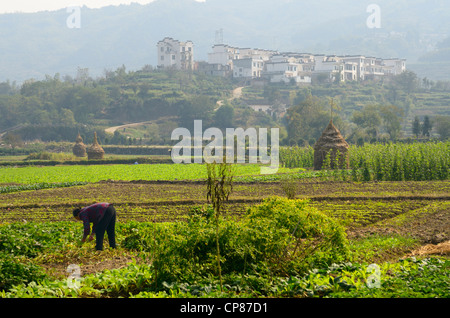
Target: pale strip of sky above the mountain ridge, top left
{"points": [[8, 6]]}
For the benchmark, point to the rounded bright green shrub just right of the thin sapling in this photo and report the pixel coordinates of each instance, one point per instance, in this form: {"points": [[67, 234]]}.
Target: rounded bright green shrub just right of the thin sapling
{"points": [[294, 236]]}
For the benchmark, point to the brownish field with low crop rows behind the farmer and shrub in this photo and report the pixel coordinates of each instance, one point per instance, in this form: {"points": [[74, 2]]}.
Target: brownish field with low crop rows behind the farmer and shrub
{"points": [[355, 204]]}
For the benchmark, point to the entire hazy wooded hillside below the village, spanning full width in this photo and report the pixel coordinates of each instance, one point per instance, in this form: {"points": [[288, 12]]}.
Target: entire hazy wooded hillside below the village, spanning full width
{"points": [[57, 109]]}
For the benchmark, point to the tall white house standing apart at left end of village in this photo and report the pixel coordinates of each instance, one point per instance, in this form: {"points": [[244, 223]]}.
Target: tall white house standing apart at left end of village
{"points": [[175, 54]]}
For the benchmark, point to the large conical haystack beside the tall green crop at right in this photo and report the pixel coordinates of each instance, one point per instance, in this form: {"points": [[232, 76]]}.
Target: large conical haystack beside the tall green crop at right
{"points": [[331, 142]]}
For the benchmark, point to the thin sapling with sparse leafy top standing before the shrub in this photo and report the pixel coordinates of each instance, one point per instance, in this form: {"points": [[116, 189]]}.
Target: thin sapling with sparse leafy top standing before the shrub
{"points": [[219, 188]]}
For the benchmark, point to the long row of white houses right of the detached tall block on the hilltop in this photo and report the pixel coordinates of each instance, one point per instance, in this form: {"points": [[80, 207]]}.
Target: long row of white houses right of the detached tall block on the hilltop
{"points": [[292, 67]]}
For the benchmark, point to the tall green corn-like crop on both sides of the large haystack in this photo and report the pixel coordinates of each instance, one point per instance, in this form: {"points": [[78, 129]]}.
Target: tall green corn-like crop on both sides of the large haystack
{"points": [[384, 162]]}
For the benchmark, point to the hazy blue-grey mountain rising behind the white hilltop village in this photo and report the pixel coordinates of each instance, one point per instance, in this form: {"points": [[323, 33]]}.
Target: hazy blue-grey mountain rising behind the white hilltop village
{"points": [[33, 45]]}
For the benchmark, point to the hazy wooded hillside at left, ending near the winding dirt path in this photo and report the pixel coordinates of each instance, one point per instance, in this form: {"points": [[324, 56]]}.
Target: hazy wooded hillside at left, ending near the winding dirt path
{"points": [[55, 109]]}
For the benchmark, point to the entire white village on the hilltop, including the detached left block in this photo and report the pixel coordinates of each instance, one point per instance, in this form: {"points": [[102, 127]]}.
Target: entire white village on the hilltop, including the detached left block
{"points": [[272, 66]]}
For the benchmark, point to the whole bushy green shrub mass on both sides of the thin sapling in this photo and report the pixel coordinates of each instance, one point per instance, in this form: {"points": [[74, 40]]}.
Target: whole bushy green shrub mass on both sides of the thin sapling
{"points": [[279, 236]]}
